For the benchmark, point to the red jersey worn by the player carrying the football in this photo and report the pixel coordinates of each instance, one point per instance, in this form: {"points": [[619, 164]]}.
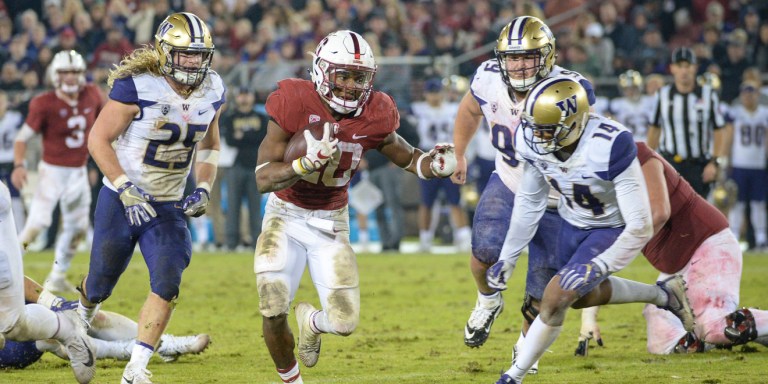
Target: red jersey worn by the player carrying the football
{"points": [[295, 104]]}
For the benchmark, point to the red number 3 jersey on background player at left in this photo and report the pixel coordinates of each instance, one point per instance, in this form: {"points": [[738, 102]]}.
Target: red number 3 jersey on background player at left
{"points": [[65, 127]]}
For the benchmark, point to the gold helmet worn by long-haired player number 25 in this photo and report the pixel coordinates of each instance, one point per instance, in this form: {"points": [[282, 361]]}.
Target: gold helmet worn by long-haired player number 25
{"points": [[185, 46]]}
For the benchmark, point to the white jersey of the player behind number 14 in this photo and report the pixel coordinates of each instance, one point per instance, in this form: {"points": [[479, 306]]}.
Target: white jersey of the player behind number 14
{"points": [[503, 116]]}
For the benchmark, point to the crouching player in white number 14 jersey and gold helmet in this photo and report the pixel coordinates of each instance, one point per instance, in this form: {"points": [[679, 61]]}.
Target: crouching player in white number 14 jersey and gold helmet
{"points": [[604, 203]]}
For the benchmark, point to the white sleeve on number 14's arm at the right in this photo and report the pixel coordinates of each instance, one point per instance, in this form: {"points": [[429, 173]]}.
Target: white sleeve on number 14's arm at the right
{"points": [[632, 196]]}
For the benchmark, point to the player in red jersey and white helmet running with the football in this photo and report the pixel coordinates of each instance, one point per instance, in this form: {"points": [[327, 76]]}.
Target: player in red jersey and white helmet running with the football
{"points": [[306, 221]]}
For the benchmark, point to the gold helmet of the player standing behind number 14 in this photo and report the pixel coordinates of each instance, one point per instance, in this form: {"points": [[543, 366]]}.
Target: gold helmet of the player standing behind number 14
{"points": [[525, 51]]}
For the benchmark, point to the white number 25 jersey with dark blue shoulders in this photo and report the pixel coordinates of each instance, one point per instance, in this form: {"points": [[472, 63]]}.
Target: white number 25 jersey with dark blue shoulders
{"points": [[157, 148]]}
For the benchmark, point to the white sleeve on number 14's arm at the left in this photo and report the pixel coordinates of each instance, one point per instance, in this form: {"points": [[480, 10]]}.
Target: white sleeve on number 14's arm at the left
{"points": [[530, 204]]}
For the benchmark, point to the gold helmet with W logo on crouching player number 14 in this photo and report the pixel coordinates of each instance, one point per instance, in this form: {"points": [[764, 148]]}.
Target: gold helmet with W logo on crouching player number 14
{"points": [[554, 114]]}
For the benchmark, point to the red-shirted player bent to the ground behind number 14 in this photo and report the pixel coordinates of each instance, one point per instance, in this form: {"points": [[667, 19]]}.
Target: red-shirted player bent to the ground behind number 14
{"points": [[706, 254]]}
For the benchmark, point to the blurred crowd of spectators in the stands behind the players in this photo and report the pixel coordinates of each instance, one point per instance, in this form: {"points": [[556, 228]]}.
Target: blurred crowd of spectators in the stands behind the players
{"points": [[271, 38]]}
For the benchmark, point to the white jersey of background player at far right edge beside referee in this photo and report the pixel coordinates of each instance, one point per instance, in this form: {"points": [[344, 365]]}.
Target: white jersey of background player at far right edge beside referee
{"points": [[749, 129]]}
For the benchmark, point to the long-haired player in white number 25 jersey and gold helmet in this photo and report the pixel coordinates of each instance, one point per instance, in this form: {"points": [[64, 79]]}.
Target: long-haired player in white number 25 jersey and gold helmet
{"points": [[163, 111]]}
